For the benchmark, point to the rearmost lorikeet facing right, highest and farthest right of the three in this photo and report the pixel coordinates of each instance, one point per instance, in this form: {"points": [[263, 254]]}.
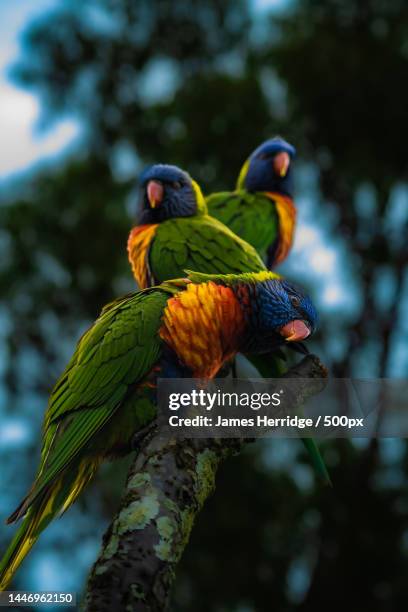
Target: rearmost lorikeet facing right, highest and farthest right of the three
{"points": [[261, 209]]}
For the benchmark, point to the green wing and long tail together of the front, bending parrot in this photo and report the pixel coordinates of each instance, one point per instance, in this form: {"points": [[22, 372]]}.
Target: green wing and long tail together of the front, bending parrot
{"points": [[100, 381]]}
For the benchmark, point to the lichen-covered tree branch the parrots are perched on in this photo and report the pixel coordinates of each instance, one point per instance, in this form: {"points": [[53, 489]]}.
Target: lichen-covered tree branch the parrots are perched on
{"points": [[167, 486]]}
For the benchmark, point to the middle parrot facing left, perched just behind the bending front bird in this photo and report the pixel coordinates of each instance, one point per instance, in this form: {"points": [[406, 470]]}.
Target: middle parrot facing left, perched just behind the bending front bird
{"points": [[174, 232]]}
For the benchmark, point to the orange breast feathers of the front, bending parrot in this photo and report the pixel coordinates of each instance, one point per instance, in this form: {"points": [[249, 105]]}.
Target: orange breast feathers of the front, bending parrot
{"points": [[203, 325]]}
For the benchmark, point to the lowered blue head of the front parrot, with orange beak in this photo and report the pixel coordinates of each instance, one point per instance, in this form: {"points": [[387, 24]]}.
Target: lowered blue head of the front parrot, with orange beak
{"points": [[279, 312]]}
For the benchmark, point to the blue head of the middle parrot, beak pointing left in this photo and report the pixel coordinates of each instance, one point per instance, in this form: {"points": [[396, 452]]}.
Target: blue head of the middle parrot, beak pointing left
{"points": [[168, 192]]}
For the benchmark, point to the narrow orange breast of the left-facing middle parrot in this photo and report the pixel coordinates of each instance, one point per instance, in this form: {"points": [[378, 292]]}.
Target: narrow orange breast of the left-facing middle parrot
{"points": [[139, 242]]}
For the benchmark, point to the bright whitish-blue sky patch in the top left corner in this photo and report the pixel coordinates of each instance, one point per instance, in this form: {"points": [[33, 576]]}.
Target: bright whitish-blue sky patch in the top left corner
{"points": [[21, 143]]}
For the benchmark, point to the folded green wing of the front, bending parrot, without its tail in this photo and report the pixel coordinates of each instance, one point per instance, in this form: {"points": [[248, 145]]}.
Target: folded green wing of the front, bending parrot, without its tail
{"points": [[117, 352]]}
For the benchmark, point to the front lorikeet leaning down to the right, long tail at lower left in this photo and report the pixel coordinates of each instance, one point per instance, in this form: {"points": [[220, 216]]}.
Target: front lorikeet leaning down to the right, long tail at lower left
{"points": [[189, 327]]}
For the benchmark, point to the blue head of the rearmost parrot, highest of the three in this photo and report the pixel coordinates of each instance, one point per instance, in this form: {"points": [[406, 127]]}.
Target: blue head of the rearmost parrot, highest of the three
{"points": [[269, 168]]}
